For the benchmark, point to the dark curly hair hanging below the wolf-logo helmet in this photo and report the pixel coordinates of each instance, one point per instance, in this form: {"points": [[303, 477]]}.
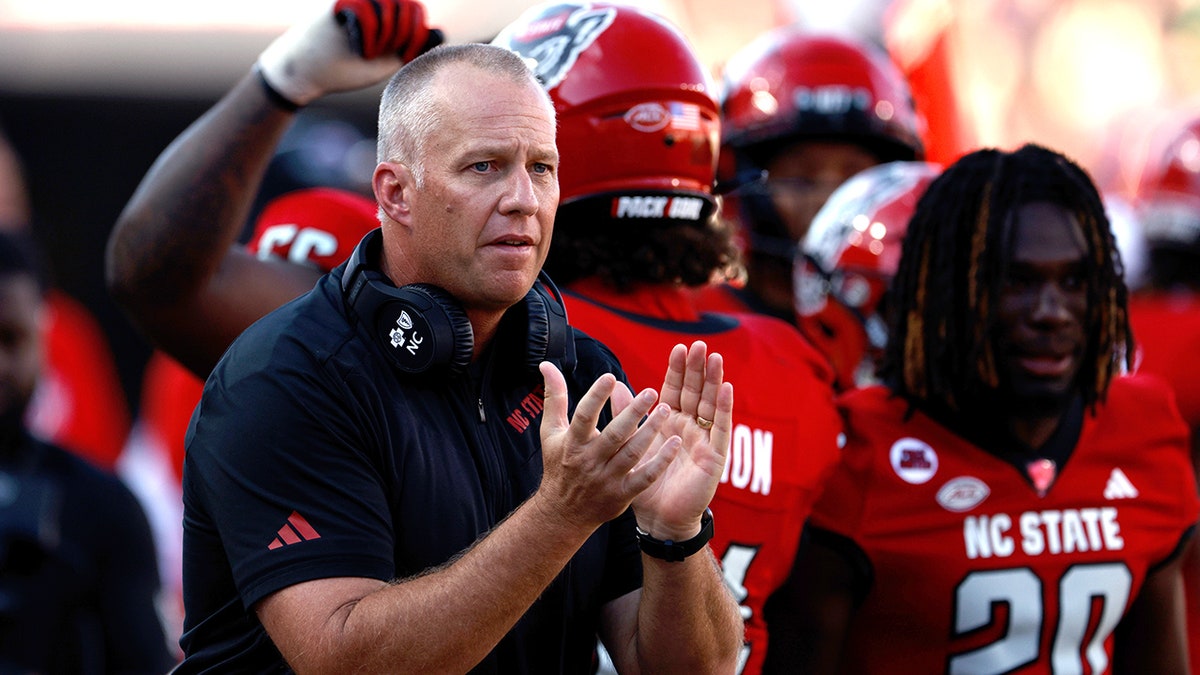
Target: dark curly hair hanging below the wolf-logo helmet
{"points": [[589, 242]]}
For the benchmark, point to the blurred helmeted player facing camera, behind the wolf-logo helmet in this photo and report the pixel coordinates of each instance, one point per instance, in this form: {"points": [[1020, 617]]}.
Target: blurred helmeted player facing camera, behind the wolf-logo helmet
{"points": [[801, 114]]}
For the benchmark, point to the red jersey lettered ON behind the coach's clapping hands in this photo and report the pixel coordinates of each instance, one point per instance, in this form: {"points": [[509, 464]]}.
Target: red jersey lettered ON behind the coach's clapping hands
{"points": [[785, 426]]}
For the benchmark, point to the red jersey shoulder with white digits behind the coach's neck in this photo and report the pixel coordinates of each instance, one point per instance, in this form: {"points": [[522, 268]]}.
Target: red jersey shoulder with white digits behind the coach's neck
{"points": [[314, 226]]}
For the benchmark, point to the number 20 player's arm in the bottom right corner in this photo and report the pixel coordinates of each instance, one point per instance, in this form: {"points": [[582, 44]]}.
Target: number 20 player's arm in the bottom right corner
{"points": [[1153, 637]]}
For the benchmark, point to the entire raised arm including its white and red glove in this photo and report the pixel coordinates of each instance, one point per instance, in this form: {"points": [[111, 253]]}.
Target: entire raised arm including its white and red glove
{"points": [[171, 261]]}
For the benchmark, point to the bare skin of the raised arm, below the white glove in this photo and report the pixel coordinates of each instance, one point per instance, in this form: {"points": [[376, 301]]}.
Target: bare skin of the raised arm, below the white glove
{"points": [[171, 262]]}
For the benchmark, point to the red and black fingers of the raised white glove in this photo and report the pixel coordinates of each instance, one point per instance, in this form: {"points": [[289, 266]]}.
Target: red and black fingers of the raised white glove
{"points": [[387, 27]]}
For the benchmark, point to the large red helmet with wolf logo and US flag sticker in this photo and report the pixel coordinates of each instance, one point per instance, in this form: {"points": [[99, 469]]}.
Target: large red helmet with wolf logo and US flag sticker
{"points": [[638, 124]]}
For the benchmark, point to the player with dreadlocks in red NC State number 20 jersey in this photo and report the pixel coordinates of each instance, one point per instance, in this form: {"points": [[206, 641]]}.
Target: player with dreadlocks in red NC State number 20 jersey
{"points": [[1010, 499]]}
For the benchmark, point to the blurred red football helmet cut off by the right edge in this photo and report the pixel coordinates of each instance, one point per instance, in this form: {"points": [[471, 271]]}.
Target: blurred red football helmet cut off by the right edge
{"points": [[1168, 205]]}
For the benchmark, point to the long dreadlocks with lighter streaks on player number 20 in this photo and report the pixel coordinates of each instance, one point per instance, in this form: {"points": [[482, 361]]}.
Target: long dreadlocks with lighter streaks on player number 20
{"points": [[955, 262]]}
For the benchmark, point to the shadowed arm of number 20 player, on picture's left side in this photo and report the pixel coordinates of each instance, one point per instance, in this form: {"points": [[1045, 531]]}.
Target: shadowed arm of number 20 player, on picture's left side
{"points": [[808, 617]]}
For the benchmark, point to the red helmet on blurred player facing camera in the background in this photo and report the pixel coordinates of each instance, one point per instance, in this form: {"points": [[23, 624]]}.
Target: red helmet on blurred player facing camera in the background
{"points": [[789, 85]]}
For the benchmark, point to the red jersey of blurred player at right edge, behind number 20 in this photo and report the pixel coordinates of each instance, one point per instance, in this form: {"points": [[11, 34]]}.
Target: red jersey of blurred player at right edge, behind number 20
{"points": [[1167, 328]]}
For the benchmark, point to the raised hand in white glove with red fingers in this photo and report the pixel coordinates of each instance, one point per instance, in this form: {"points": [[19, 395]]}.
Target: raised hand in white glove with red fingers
{"points": [[353, 45]]}
